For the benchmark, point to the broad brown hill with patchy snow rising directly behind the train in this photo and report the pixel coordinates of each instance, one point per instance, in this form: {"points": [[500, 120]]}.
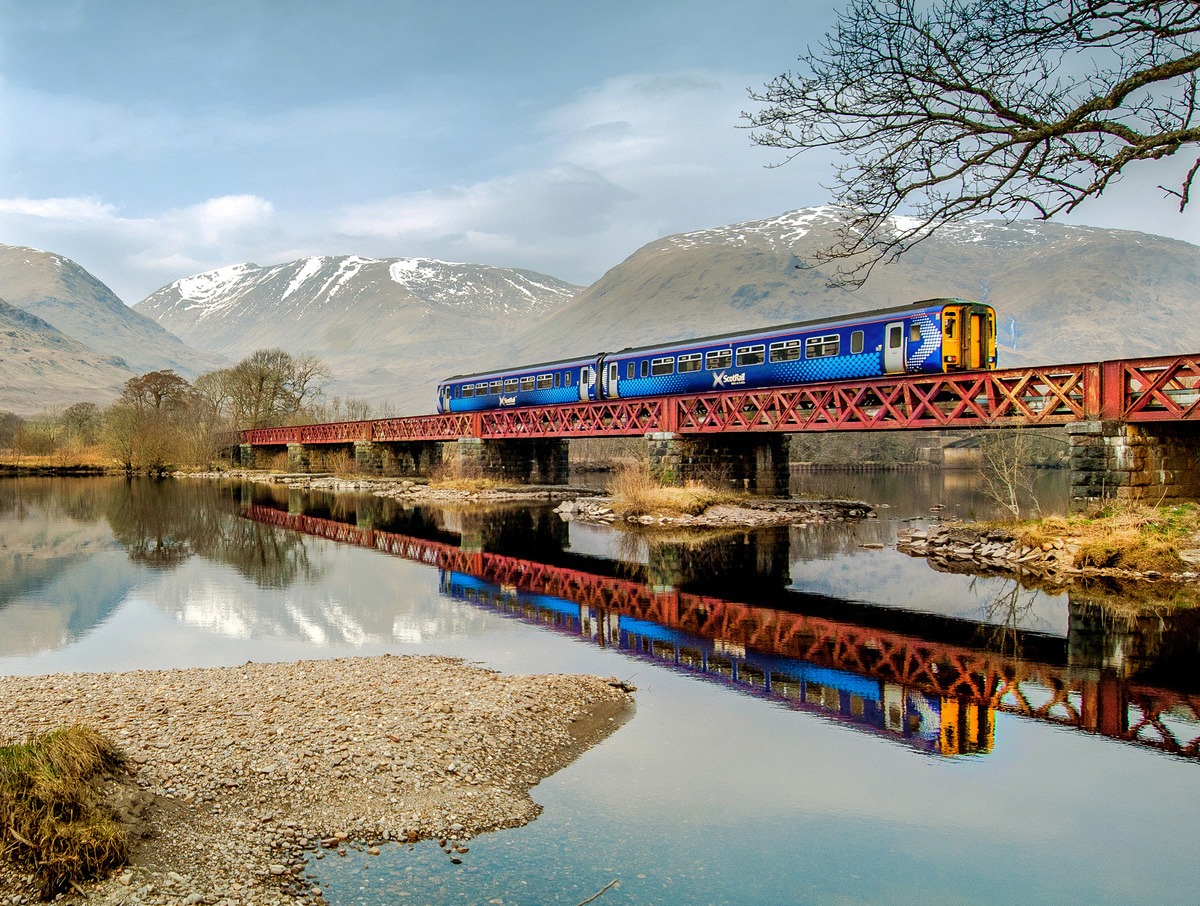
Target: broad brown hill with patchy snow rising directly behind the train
{"points": [[1063, 293]]}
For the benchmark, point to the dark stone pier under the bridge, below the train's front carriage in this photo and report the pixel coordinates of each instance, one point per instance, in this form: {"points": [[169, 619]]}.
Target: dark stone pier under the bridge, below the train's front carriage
{"points": [[751, 463]]}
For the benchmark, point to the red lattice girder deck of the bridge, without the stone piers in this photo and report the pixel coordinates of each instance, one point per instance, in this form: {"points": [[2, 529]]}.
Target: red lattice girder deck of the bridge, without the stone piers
{"points": [[1133, 391]]}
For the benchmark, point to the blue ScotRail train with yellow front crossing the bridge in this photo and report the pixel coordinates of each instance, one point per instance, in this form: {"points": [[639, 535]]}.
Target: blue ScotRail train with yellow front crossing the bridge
{"points": [[937, 335]]}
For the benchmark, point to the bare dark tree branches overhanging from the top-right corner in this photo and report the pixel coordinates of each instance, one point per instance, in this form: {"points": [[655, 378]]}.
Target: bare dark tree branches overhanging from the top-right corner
{"points": [[959, 109]]}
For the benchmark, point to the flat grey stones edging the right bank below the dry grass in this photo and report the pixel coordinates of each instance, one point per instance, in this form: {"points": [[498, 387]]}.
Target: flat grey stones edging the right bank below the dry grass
{"points": [[997, 550]]}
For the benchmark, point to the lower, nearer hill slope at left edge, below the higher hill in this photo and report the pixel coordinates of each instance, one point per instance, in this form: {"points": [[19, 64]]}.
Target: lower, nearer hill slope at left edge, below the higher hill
{"points": [[41, 368]]}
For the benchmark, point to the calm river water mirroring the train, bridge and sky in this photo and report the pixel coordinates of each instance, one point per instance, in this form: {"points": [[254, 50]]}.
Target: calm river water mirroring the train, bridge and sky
{"points": [[817, 723]]}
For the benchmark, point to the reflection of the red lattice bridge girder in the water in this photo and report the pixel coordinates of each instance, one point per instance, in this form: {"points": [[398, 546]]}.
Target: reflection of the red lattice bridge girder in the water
{"points": [[980, 681]]}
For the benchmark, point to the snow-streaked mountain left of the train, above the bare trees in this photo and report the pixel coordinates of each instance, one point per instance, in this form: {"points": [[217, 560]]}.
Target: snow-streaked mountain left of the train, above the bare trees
{"points": [[387, 328]]}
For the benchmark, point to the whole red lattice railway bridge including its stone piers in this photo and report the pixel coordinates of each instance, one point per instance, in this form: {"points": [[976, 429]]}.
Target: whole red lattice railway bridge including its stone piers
{"points": [[1135, 427]]}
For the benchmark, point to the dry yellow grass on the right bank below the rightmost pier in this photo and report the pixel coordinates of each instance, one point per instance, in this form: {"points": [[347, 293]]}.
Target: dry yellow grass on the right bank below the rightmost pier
{"points": [[1126, 536]]}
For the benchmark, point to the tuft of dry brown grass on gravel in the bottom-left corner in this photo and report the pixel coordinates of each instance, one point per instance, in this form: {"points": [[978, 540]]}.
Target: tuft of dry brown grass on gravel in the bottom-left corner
{"points": [[51, 814]]}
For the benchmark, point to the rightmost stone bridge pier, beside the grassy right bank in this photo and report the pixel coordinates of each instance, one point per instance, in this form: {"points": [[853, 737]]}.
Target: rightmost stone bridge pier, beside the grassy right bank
{"points": [[1151, 463]]}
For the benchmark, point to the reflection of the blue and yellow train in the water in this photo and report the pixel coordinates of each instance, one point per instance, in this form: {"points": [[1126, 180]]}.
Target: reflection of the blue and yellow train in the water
{"points": [[929, 723]]}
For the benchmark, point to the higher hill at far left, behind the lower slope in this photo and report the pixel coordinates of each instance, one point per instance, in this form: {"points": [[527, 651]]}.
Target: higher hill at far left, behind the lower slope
{"points": [[76, 303]]}
